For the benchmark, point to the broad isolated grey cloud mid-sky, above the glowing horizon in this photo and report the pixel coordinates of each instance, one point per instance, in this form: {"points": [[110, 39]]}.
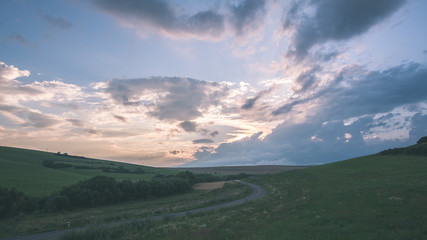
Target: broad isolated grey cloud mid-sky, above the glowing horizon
{"points": [[180, 98]]}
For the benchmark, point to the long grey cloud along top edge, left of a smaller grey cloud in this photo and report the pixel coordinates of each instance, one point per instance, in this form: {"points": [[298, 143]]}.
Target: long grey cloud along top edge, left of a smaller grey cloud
{"points": [[162, 16]]}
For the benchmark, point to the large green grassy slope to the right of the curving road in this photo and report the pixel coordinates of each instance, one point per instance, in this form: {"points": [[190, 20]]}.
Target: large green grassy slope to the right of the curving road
{"points": [[382, 196]]}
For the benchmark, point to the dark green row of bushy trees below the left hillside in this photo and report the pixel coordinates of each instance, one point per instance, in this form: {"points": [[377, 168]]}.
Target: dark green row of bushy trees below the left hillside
{"points": [[101, 190]]}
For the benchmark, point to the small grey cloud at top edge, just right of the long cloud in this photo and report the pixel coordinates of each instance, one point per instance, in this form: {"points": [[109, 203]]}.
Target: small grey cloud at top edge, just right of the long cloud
{"points": [[247, 14]]}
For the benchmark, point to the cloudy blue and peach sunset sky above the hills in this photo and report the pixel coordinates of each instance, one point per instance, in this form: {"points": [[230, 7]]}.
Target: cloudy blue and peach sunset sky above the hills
{"points": [[213, 82]]}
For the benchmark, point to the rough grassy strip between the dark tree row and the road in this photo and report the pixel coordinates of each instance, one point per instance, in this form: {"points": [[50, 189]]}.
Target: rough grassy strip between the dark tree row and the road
{"points": [[93, 216]]}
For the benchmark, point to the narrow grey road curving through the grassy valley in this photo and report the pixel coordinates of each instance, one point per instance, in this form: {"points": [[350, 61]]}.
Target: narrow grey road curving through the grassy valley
{"points": [[257, 192]]}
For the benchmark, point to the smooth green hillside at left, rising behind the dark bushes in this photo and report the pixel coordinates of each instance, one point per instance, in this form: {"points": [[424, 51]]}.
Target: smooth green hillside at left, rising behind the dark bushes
{"points": [[24, 170]]}
